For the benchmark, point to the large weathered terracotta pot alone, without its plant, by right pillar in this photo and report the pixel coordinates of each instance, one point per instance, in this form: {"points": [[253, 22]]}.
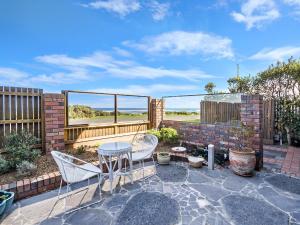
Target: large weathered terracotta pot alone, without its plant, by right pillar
{"points": [[242, 163]]}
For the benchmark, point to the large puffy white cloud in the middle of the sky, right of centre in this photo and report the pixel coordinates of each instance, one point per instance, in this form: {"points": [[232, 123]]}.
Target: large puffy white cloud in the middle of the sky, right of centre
{"points": [[181, 42]]}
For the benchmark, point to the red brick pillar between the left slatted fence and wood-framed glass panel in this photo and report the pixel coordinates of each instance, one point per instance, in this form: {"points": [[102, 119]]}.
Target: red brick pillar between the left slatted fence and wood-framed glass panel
{"points": [[54, 122]]}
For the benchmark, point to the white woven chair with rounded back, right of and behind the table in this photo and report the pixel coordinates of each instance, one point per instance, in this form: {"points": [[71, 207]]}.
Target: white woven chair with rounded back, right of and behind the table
{"points": [[143, 147]]}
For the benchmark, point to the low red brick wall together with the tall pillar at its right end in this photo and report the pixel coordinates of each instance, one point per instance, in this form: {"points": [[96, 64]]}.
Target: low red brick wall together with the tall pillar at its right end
{"points": [[219, 135]]}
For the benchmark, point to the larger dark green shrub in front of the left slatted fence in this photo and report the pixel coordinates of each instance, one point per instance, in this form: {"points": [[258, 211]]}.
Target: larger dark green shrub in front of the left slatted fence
{"points": [[20, 147]]}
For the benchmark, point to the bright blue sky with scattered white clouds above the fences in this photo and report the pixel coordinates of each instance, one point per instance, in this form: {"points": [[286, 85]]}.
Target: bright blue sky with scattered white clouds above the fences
{"points": [[149, 47]]}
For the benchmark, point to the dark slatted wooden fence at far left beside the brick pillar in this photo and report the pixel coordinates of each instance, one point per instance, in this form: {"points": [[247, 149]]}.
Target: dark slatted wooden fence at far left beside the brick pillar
{"points": [[21, 109]]}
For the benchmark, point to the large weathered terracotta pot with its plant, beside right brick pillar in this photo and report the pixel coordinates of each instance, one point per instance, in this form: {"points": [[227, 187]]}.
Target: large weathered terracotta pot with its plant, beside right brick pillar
{"points": [[242, 157]]}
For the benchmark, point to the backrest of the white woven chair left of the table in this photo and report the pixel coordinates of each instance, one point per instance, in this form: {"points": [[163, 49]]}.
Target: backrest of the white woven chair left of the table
{"points": [[70, 171]]}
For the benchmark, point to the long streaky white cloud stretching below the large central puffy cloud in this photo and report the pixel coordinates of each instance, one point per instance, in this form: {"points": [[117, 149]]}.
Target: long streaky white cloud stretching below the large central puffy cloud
{"points": [[104, 63]]}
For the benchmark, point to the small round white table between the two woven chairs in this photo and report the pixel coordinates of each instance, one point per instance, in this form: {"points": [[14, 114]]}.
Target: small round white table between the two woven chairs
{"points": [[107, 151]]}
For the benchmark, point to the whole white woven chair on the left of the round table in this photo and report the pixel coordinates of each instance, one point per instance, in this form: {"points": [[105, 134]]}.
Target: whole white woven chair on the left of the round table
{"points": [[73, 173]]}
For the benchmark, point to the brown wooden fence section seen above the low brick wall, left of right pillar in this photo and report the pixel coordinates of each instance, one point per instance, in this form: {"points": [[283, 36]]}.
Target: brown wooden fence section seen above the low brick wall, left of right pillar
{"points": [[212, 112]]}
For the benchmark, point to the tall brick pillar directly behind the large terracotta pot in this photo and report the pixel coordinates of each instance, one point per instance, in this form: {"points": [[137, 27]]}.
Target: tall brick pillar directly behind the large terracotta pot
{"points": [[252, 114]]}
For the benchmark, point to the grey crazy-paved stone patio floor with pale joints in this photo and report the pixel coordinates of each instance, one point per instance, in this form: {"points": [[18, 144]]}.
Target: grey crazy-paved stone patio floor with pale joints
{"points": [[176, 195]]}
